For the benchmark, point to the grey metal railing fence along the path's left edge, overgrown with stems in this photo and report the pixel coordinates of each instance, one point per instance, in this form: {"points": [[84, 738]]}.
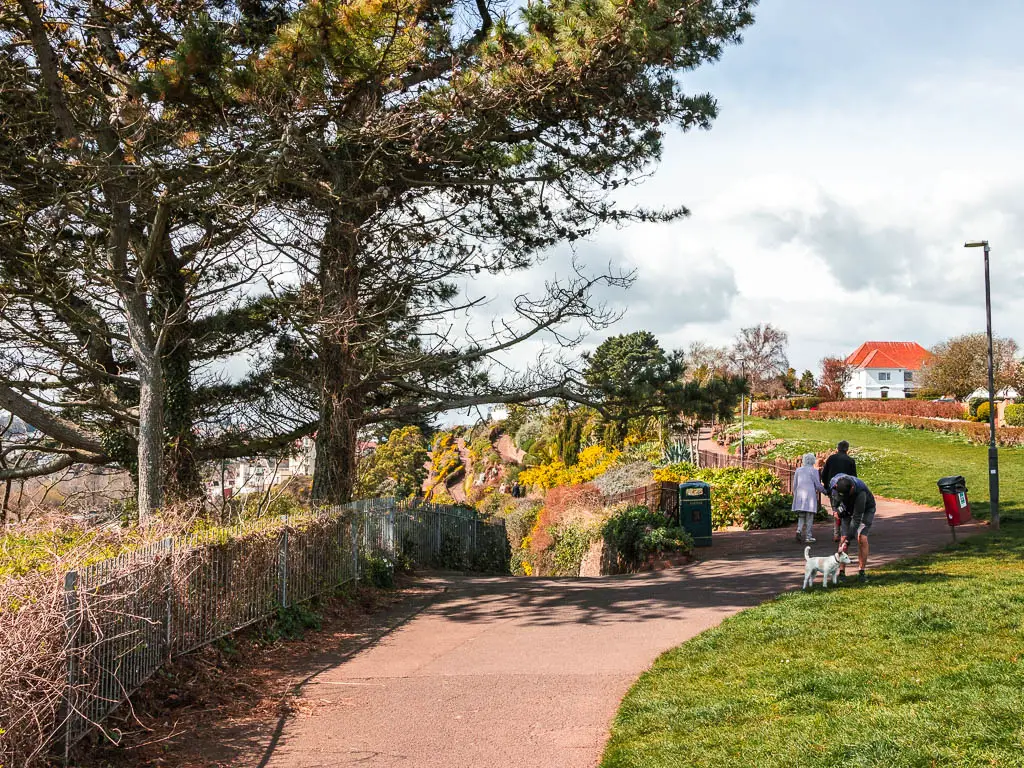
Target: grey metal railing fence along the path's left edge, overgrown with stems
{"points": [[129, 617]]}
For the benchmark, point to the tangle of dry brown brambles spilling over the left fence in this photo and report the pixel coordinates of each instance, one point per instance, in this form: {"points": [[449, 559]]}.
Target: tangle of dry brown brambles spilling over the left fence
{"points": [[35, 652]]}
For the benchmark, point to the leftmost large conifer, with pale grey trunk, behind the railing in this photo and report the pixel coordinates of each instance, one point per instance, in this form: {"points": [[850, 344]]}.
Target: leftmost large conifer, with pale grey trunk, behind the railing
{"points": [[129, 180]]}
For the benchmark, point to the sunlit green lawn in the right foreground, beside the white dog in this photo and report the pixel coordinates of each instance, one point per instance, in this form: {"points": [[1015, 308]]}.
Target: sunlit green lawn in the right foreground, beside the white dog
{"points": [[922, 667]]}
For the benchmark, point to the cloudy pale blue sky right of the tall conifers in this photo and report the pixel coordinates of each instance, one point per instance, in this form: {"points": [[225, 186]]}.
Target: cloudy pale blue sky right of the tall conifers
{"points": [[859, 146]]}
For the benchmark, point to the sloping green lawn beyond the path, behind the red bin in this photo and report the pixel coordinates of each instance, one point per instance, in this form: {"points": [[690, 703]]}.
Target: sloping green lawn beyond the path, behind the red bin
{"points": [[907, 463]]}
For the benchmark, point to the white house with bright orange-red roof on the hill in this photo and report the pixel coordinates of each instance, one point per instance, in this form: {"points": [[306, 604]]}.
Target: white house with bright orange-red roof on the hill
{"points": [[886, 369]]}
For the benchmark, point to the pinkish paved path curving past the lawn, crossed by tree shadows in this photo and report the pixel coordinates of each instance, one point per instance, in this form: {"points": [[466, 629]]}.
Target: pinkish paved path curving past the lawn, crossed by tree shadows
{"points": [[529, 673]]}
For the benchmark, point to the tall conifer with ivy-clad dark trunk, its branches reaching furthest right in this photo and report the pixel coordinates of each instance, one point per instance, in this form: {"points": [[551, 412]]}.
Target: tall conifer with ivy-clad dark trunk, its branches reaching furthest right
{"points": [[429, 143]]}
